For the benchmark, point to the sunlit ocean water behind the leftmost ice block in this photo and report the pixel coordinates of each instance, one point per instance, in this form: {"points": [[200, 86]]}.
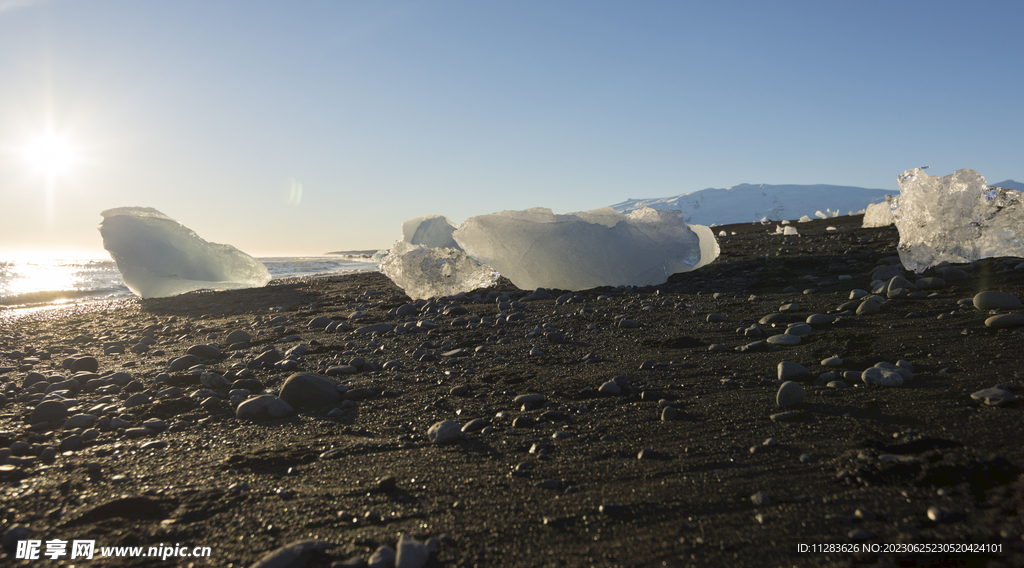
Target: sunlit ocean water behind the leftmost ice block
{"points": [[36, 283]]}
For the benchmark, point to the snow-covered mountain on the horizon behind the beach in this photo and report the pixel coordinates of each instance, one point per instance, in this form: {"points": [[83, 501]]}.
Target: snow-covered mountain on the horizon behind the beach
{"points": [[748, 203]]}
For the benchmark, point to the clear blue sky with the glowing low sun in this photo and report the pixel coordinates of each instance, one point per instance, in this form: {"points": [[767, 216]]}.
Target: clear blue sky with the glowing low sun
{"points": [[297, 128]]}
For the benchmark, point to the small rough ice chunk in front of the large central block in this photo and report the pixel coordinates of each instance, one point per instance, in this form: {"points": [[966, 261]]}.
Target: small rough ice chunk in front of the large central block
{"points": [[425, 273]]}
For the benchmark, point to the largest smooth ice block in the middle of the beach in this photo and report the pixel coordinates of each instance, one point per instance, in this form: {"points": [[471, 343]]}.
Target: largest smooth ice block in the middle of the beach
{"points": [[538, 249]]}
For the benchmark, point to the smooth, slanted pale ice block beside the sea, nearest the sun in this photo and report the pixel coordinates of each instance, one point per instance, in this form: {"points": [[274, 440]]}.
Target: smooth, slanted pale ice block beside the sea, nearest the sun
{"points": [[159, 257]]}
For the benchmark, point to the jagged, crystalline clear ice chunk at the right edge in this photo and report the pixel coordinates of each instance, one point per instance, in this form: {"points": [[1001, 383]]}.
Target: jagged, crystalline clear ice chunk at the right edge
{"points": [[957, 219]]}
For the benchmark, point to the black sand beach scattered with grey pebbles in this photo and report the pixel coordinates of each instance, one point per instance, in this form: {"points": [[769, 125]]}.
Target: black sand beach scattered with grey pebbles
{"points": [[692, 462]]}
